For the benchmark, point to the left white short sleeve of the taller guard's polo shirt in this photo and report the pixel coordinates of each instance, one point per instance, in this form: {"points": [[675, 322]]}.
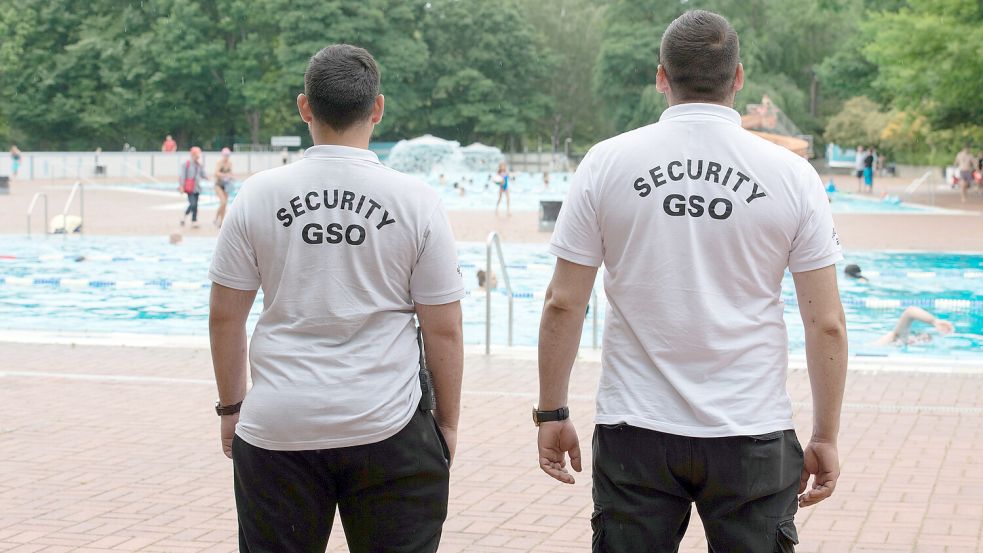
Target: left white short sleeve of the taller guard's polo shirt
{"points": [[577, 235]]}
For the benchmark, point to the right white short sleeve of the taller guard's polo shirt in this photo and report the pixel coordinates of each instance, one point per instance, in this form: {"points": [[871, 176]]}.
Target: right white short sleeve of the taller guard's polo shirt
{"points": [[816, 244]]}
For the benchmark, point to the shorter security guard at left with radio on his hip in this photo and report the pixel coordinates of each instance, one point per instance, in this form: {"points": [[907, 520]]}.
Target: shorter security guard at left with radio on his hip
{"points": [[340, 414]]}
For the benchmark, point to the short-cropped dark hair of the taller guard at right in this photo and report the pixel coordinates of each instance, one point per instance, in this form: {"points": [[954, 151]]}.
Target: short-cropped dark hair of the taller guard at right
{"points": [[699, 53]]}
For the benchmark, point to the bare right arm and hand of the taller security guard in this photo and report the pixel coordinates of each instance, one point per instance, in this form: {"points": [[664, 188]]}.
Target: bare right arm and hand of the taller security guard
{"points": [[826, 356]]}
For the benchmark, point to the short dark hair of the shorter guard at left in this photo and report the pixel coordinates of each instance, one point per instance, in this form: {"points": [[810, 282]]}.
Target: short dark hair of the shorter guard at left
{"points": [[341, 84]]}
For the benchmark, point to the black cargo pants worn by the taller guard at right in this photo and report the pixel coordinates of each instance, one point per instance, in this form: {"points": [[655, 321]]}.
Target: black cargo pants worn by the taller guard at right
{"points": [[745, 489]]}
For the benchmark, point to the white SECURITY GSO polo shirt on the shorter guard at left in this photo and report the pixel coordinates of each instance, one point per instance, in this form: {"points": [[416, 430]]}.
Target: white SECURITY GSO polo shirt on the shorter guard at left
{"points": [[342, 247]]}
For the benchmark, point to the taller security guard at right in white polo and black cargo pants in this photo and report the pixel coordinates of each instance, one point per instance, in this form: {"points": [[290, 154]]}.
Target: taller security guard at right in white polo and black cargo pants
{"points": [[695, 221]]}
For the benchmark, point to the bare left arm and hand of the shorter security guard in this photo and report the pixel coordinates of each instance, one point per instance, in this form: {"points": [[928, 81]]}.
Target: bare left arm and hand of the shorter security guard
{"points": [[227, 314]]}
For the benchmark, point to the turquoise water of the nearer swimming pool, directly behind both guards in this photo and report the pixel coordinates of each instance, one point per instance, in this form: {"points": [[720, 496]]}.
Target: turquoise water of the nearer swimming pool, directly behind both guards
{"points": [[145, 285]]}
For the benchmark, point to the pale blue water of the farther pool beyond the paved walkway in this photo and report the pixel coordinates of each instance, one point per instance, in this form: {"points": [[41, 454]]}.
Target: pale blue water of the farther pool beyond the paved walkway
{"points": [[528, 189]]}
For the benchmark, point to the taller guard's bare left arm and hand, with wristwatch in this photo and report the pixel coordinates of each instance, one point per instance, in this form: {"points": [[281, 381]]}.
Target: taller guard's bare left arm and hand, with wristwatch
{"points": [[559, 340]]}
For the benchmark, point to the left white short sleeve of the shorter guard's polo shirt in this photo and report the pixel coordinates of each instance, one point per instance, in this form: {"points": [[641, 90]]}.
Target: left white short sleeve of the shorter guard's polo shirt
{"points": [[234, 261]]}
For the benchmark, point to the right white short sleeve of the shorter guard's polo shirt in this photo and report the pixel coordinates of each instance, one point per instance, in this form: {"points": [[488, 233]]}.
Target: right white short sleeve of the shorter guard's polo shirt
{"points": [[436, 278]]}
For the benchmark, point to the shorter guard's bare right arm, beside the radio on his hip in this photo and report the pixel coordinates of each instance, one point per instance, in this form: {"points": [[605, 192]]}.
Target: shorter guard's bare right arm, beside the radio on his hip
{"points": [[443, 341]]}
